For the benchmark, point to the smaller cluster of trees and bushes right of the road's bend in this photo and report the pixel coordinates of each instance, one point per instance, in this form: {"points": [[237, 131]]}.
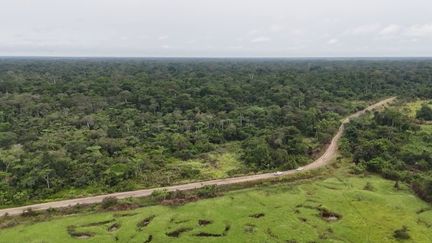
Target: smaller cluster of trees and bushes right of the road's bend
{"points": [[394, 145]]}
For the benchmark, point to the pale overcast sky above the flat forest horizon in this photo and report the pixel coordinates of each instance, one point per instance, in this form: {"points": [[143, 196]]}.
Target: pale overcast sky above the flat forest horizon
{"points": [[216, 28]]}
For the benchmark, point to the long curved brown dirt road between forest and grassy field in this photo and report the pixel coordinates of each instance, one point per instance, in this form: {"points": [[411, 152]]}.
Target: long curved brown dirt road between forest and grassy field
{"points": [[324, 159]]}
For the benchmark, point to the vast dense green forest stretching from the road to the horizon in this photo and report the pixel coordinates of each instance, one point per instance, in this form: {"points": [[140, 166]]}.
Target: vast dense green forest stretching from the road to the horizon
{"points": [[72, 124]]}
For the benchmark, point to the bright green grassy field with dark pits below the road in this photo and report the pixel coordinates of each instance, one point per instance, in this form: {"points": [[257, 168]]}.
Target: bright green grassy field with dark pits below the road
{"points": [[290, 211]]}
